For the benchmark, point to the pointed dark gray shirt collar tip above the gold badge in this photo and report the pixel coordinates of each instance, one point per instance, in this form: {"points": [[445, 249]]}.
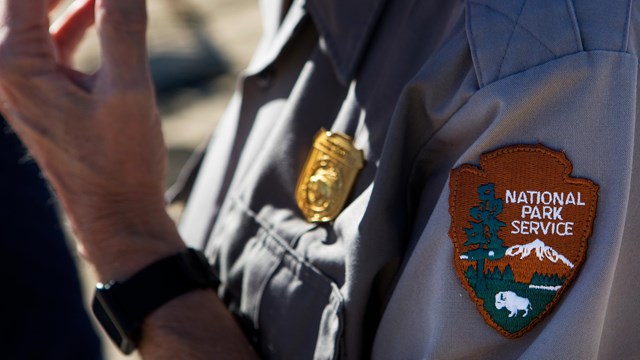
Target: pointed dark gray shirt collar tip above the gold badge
{"points": [[345, 28]]}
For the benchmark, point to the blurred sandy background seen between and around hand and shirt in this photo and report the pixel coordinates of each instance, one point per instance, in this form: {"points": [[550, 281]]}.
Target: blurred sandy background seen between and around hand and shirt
{"points": [[196, 50]]}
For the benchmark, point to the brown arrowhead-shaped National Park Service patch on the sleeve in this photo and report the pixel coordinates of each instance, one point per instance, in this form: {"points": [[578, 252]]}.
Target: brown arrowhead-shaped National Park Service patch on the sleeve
{"points": [[519, 226]]}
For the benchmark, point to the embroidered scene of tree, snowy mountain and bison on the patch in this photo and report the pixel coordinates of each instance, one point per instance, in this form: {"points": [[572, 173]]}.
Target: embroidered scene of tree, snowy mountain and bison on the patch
{"points": [[514, 284]]}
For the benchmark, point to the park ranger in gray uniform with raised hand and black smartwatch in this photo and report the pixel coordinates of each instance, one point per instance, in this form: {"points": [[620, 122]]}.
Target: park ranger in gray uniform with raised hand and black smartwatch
{"points": [[392, 179]]}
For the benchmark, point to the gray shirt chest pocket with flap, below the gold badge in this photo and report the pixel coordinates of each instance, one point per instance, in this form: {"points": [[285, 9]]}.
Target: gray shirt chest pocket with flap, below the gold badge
{"points": [[288, 307]]}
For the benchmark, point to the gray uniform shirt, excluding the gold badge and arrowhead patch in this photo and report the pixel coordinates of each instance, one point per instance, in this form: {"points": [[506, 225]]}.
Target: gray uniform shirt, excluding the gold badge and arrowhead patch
{"points": [[422, 87]]}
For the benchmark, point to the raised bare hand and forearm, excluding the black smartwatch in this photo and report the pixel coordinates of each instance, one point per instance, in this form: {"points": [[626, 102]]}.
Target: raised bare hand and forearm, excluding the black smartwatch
{"points": [[98, 140]]}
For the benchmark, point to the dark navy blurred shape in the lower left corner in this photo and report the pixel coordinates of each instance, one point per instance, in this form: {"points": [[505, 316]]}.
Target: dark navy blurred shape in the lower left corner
{"points": [[43, 315]]}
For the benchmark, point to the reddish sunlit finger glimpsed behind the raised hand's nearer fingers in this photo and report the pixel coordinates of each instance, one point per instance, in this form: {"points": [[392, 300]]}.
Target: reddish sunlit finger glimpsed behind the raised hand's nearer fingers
{"points": [[69, 29]]}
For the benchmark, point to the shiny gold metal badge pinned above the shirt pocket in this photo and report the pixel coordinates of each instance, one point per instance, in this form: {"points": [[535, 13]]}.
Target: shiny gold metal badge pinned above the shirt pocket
{"points": [[328, 176]]}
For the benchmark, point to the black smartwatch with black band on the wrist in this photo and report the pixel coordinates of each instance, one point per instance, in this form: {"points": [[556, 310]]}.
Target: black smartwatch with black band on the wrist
{"points": [[121, 307]]}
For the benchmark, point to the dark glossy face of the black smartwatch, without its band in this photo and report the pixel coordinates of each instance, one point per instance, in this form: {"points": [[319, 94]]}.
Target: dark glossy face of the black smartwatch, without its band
{"points": [[113, 321]]}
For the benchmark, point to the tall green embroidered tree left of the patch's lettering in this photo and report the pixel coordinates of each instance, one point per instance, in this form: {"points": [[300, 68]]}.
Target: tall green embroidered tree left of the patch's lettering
{"points": [[484, 232]]}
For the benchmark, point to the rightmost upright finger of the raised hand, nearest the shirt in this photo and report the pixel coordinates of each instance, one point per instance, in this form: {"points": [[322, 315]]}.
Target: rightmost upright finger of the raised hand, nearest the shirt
{"points": [[122, 26]]}
